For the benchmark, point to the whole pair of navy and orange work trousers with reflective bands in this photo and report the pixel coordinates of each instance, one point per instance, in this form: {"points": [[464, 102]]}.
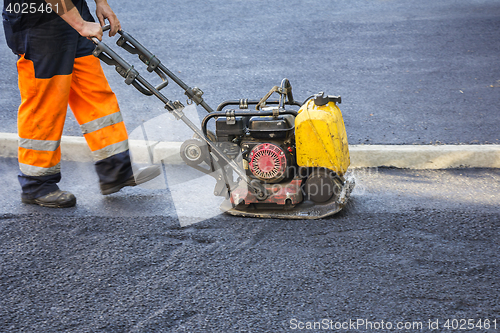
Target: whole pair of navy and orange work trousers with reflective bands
{"points": [[56, 69]]}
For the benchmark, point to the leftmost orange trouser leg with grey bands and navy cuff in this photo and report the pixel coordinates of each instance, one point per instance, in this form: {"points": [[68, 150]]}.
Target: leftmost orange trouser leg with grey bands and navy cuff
{"points": [[40, 124]]}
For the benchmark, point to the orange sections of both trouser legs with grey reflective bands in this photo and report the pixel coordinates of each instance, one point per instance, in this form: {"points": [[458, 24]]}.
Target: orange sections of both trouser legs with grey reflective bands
{"points": [[42, 114]]}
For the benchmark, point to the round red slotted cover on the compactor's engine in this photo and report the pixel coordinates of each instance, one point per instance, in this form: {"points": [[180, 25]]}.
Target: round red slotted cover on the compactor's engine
{"points": [[268, 162]]}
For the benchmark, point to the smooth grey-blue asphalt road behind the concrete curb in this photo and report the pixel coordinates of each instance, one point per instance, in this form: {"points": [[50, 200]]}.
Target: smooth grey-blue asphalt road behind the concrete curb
{"points": [[408, 71]]}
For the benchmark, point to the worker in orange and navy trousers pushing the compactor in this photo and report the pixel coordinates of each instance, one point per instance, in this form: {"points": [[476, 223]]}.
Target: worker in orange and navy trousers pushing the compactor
{"points": [[56, 68]]}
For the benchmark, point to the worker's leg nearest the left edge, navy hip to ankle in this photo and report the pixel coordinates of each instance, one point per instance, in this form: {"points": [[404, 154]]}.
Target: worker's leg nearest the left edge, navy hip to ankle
{"points": [[44, 82]]}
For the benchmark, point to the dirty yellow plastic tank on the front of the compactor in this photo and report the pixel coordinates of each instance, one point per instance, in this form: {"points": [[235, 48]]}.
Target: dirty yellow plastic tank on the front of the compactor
{"points": [[320, 136]]}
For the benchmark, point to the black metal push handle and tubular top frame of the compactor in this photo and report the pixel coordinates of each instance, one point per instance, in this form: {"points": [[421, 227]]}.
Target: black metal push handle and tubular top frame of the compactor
{"points": [[132, 77]]}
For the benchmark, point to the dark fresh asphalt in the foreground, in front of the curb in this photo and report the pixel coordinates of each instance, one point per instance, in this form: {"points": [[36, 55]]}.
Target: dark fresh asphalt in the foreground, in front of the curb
{"points": [[411, 246]]}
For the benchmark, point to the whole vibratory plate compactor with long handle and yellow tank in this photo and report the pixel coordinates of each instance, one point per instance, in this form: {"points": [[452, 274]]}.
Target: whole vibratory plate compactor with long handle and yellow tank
{"points": [[279, 159]]}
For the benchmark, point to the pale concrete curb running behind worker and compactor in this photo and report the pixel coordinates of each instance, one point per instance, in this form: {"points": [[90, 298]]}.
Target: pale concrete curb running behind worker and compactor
{"points": [[362, 156]]}
